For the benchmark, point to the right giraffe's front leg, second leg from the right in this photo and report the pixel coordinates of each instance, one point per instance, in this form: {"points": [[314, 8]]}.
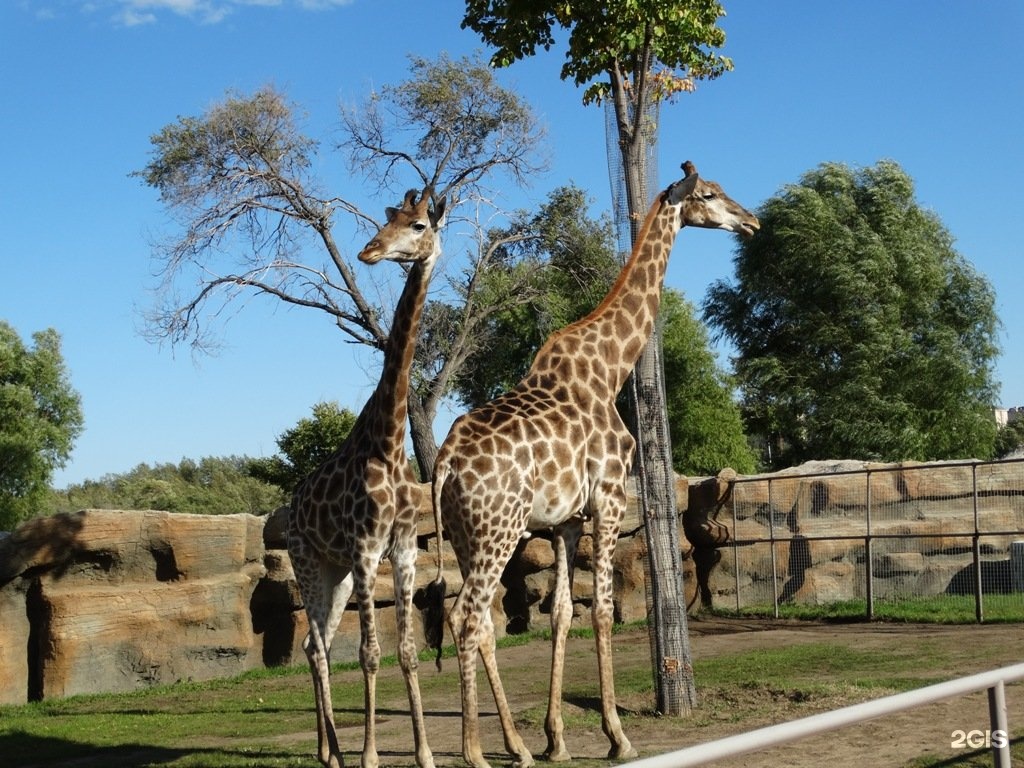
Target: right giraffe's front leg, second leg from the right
{"points": [[566, 543]]}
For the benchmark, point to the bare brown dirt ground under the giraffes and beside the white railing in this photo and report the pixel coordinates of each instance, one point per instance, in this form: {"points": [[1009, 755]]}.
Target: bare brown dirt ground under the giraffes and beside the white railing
{"points": [[883, 742]]}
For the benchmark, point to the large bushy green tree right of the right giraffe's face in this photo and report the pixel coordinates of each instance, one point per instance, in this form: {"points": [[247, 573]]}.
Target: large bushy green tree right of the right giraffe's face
{"points": [[862, 332]]}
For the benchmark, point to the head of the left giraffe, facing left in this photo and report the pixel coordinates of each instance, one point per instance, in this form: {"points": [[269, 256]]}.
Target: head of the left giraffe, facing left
{"points": [[411, 233]]}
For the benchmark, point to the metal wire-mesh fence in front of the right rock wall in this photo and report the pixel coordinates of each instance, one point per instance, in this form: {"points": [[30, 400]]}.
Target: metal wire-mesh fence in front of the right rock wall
{"points": [[933, 537]]}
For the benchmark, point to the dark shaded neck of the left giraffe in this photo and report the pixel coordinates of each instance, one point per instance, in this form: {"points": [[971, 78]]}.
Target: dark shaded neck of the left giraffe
{"points": [[388, 409]]}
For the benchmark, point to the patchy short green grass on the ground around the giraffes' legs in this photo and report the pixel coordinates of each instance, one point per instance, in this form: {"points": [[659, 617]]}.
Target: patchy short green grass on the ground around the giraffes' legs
{"points": [[265, 719]]}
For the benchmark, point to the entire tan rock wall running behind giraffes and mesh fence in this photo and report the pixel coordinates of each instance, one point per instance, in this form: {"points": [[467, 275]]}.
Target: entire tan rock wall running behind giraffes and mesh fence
{"points": [[106, 601]]}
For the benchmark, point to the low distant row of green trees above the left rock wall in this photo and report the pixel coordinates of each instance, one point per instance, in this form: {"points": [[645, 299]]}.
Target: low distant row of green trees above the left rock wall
{"points": [[211, 487]]}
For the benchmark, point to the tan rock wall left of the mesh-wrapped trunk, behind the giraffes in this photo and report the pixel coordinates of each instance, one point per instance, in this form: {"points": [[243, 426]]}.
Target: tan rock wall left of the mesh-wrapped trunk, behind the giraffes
{"points": [[106, 601]]}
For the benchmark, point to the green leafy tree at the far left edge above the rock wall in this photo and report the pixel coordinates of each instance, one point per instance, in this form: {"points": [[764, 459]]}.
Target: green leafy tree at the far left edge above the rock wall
{"points": [[40, 419]]}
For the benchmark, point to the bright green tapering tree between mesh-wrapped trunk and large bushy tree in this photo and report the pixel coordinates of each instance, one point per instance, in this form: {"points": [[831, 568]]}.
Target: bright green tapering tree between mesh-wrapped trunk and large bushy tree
{"points": [[706, 422]]}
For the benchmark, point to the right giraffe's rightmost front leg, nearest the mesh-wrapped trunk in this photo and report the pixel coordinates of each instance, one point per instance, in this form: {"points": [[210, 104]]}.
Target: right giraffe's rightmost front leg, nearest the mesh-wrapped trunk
{"points": [[606, 535]]}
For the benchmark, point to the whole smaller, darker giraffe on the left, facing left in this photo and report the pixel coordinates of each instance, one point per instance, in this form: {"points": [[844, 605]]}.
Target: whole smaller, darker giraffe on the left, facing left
{"points": [[361, 504]]}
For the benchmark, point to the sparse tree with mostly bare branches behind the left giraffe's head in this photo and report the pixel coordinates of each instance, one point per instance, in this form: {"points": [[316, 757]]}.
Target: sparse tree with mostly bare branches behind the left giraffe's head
{"points": [[253, 220]]}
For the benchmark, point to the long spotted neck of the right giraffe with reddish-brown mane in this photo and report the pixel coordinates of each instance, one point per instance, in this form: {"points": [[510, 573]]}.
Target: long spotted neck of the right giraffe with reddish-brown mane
{"points": [[612, 338]]}
